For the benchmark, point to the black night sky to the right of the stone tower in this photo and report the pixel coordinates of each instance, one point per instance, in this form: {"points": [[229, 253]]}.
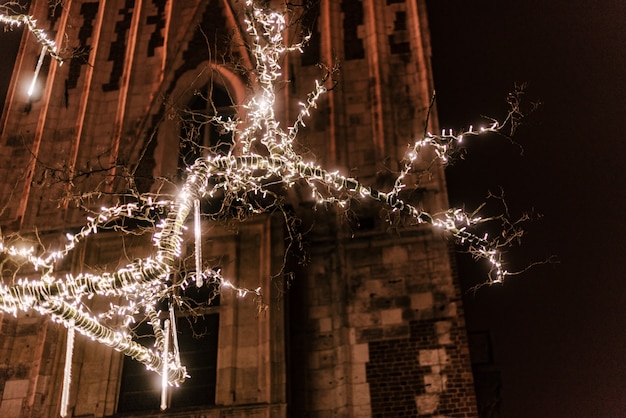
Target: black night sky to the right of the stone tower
{"points": [[558, 331]]}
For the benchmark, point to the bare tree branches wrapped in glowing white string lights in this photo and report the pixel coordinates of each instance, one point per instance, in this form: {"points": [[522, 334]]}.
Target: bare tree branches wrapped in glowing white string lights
{"points": [[267, 157]]}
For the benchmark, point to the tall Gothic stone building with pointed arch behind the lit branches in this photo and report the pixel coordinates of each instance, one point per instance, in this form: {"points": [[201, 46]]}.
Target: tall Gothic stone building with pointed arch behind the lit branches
{"points": [[370, 326]]}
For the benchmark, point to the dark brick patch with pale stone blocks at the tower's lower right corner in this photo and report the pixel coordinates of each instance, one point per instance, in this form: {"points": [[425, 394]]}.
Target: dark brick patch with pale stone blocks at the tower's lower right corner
{"points": [[420, 375]]}
